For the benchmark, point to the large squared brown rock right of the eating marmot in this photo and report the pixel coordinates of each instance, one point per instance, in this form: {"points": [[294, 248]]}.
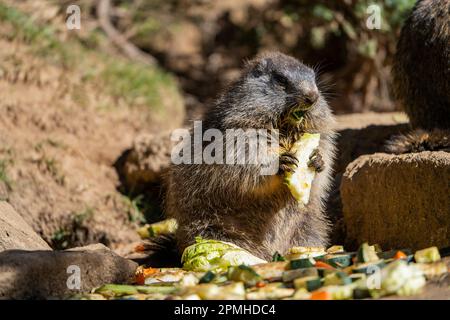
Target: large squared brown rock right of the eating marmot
{"points": [[398, 200]]}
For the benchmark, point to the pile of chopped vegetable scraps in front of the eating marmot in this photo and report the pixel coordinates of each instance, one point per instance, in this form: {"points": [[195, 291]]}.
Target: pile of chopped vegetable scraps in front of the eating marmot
{"points": [[220, 270]]}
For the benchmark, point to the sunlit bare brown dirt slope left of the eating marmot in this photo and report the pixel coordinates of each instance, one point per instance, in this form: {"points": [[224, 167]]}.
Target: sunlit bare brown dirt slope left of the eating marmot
{"points": [[60, 136]]}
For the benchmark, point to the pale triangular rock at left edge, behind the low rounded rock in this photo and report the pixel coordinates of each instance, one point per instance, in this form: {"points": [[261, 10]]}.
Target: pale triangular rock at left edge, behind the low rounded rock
{"points": [[15, 233]]}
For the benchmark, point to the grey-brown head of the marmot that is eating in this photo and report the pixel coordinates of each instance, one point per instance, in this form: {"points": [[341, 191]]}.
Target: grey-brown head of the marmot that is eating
{"points": [[273, 88]]}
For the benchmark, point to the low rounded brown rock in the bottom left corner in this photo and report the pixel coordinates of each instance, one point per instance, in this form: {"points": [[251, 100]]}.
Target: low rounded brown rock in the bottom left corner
{"points": [[52, 274]]}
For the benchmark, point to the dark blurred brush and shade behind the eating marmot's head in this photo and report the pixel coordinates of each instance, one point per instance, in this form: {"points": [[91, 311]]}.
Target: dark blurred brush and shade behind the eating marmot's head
{"points": [[204, 42]]}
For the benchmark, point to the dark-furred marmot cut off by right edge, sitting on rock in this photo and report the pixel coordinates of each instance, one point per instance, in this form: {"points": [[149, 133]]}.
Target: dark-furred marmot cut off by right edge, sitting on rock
{"points": [[421, 78]]}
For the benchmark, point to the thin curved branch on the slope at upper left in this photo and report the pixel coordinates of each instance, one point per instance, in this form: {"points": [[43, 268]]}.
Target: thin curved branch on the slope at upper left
{"points": [[129, 49]]}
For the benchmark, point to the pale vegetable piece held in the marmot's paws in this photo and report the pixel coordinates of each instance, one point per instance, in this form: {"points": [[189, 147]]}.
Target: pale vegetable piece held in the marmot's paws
{"points": [[300, 181]]}
